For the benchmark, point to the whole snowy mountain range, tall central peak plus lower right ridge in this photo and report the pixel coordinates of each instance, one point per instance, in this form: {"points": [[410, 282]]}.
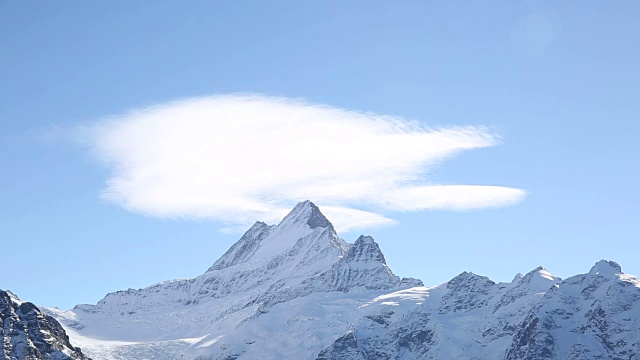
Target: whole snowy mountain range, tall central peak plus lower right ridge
{"points": [[297, 291]]}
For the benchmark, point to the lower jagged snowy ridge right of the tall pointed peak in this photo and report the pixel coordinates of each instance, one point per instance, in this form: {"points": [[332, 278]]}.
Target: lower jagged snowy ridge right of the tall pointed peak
{"points": [[538, 316]]}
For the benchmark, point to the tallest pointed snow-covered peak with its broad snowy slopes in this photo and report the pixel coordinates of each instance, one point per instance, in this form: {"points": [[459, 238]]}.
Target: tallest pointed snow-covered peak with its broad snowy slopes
{"points": [[296, 274]]}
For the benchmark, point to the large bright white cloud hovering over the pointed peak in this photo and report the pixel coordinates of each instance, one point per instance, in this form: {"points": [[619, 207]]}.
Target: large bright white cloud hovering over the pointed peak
{"points": [[239, 158]]}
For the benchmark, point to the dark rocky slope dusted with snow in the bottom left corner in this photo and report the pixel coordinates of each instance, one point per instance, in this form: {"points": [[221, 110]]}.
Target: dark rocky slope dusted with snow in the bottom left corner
{"points": [[28, 334]]}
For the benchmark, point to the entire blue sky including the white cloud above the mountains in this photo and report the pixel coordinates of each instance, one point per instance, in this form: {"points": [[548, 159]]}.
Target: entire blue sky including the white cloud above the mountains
{"points": [[130, 152]]}
